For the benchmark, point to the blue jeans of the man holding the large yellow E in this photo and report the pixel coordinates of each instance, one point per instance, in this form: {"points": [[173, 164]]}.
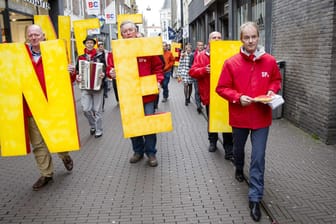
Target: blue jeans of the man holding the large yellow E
{"points": [[145, 144]]}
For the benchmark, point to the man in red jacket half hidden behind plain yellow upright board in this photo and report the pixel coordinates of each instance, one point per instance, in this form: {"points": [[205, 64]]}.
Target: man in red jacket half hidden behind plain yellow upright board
{"points": [[200, 70]]}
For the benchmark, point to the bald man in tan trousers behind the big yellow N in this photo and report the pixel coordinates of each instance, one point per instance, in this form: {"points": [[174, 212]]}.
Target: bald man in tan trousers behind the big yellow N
{"points": [[42, 155]]}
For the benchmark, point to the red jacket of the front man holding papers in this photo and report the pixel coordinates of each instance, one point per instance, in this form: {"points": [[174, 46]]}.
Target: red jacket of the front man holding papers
{"points": [[244, 76]]}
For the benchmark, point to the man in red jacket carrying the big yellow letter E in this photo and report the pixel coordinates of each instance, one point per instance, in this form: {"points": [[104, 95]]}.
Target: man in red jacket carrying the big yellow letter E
{"points": [[147, 66]]}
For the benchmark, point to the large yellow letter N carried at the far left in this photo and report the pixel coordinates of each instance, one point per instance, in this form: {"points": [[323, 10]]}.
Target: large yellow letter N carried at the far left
{"points": [[55, 114]]}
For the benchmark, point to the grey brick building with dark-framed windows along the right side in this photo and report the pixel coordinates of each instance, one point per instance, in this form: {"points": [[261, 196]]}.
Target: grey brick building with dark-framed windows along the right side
{"points": [[295, 33]]}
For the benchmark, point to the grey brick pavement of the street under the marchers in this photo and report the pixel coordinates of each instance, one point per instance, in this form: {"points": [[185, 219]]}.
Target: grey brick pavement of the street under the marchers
{"points": [[190, 185]]}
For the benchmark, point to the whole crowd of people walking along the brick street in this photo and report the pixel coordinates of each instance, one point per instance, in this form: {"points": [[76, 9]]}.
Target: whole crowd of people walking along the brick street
{"points": [[248, 74]]}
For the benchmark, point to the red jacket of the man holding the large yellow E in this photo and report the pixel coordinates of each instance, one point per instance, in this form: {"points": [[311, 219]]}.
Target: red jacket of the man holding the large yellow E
{"points": [[147, 66]]}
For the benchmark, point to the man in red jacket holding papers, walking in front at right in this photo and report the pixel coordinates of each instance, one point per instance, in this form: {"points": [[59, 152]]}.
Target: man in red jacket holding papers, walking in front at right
{"points": [[250, 73]]}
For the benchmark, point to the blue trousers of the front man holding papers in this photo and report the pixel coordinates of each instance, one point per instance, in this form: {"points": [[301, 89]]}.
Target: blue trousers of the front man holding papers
{"points": [[257, 165]]}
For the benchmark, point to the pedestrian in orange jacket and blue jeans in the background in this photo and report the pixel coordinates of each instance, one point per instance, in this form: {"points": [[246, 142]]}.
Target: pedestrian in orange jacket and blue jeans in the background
{"points": [[169, 63]]}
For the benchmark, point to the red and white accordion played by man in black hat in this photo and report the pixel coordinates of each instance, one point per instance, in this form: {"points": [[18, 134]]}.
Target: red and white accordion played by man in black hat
{"points": [[89, 71]]}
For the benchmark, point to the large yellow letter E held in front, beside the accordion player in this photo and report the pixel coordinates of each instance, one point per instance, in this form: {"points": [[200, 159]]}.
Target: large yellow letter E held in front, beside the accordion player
{"points": [[131, 87]]}
